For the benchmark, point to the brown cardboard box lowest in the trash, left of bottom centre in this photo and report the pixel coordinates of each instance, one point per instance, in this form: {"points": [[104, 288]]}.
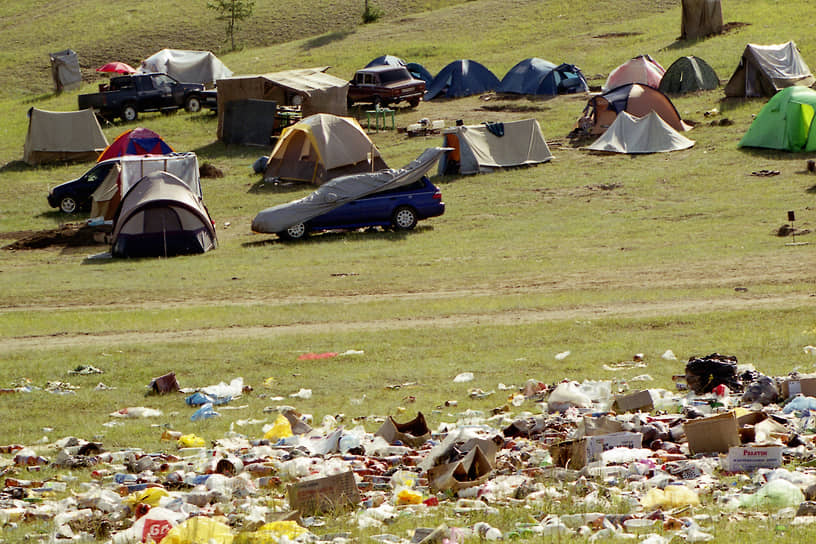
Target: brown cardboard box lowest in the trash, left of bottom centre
{"points": [[324, 494]]}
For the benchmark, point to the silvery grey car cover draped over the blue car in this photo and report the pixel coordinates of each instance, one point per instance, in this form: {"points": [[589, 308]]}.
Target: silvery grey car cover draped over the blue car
{"points": [[341, 190]]}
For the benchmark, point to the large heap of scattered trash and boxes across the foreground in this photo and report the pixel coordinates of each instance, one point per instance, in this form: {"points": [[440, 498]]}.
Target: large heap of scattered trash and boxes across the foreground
{"points": [[619, 461]]}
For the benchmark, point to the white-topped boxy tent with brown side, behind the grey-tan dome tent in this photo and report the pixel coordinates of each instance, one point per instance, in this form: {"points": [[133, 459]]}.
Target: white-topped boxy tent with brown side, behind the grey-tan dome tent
{"points": [[131, 168]]}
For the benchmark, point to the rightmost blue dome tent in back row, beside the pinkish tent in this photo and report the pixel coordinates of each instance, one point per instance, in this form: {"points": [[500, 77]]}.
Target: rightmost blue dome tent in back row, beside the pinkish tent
{"points": [[541, 77]]}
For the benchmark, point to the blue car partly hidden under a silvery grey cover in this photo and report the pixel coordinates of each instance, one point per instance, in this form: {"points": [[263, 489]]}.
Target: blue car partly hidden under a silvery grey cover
{"points": [[399, 208]]}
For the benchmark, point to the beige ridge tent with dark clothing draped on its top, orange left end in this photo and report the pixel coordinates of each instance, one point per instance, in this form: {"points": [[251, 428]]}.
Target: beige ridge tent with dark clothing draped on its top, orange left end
{"points": [[480, 148]]}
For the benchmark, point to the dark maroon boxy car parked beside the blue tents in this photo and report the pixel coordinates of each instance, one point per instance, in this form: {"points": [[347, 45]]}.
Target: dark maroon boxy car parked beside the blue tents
{"points": [[383, 85]]}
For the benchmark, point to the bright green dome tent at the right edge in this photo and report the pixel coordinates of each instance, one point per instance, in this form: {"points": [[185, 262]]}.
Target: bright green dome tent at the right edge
{"points": [[785, 122]]}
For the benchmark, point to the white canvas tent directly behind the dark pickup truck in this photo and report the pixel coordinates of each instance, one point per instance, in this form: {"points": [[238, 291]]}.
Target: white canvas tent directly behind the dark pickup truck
{"points": [[187, 66]]}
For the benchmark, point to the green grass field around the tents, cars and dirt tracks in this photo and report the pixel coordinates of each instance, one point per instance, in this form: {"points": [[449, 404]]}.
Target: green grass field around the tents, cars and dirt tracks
{"points": [[603, 256]]}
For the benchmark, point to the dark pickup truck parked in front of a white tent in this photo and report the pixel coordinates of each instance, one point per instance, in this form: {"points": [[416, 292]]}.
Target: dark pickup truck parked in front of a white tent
{"points": [[126, 96]]}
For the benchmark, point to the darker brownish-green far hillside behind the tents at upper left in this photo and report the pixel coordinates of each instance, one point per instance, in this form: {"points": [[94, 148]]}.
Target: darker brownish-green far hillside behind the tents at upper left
{"points": [[129, 32]]}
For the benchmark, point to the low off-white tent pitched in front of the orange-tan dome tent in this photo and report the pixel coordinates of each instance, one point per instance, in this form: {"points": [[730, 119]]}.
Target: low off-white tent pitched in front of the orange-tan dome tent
{"points": [[632, 135]]}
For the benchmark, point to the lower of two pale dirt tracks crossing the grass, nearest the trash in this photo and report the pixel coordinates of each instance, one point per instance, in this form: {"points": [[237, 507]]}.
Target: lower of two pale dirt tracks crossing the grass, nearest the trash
{"points": [[740, 301]]}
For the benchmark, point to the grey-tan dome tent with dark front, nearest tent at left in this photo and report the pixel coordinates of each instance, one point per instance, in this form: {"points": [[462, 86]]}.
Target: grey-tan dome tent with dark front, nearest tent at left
{"points": [[161, 217]]}
